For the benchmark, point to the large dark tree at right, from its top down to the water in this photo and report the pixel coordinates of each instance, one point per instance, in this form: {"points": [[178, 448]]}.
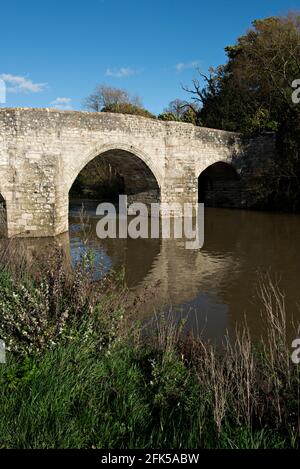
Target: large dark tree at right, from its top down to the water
{"points": [[252, 93]]}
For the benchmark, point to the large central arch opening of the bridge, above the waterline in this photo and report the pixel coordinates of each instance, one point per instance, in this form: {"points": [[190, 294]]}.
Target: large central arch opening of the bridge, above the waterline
{"points": [[114, 172]]}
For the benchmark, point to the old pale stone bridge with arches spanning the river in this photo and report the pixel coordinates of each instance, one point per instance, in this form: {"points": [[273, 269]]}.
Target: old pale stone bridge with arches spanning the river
{"points": [[42, 151]]}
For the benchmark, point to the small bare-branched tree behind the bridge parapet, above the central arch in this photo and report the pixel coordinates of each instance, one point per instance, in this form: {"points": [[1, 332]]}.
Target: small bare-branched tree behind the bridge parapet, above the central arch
{"points": [[104, 97]]}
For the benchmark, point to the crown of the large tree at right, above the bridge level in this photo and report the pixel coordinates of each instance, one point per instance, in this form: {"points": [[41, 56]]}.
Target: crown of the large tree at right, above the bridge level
{"points": [[252, 91]]}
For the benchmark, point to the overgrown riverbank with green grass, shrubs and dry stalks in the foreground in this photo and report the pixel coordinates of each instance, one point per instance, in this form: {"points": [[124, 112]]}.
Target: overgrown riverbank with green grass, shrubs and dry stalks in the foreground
{"points": [[79, 374]]}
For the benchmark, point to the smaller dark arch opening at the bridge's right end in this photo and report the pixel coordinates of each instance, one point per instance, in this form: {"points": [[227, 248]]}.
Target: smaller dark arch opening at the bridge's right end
{"points": [[219, 186]]}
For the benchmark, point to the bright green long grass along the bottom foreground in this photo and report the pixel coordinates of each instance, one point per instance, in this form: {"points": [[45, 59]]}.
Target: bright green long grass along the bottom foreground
{"points": [[76, 396]]}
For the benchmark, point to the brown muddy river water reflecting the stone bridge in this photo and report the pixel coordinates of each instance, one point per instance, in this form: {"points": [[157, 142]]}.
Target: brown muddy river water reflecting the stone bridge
{"points": [[215, 288]]}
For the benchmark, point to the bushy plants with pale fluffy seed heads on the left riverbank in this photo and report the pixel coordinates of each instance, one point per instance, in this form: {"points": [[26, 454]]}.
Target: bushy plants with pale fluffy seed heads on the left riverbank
{"points": [[36, 315]]}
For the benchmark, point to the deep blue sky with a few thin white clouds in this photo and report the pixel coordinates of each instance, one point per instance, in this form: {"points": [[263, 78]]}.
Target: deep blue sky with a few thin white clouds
{"points": [[53, 53]]}
